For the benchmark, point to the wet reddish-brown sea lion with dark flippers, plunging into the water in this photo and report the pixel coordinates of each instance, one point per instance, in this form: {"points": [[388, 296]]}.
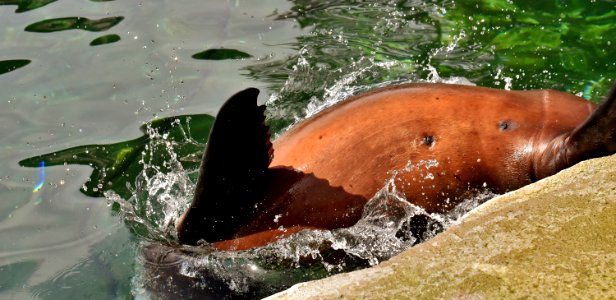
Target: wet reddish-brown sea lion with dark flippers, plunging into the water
{"points": [[439, 143]]}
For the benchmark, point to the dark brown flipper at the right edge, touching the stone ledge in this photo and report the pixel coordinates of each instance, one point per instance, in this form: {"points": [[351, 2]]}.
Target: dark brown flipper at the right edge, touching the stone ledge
{"points": [[595, 137]]}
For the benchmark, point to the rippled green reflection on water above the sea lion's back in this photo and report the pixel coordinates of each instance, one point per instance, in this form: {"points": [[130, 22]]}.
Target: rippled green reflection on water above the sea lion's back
{"points": [[560, 45]]}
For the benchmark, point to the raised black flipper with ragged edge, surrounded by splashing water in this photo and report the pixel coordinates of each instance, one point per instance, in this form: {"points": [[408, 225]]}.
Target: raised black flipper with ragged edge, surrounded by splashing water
{"points": [[232, 174]]}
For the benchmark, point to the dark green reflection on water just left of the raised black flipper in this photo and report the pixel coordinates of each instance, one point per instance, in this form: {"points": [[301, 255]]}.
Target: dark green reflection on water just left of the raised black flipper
{"points": [[116, 165]]}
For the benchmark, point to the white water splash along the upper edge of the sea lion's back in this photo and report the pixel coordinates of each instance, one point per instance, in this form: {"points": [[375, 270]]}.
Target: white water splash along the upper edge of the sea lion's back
{"points": [[348, 80]]}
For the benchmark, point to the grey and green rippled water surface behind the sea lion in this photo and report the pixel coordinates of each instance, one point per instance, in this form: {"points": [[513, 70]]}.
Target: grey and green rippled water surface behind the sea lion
{"points": [[86, 75]]}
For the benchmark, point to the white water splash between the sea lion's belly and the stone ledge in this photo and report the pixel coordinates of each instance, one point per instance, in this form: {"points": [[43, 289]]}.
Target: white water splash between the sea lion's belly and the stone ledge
{"points": [[388, 226]]}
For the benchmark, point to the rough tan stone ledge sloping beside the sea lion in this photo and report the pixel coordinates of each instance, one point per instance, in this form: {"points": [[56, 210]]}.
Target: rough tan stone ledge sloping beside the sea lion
{"points": [[553, 239]]}
